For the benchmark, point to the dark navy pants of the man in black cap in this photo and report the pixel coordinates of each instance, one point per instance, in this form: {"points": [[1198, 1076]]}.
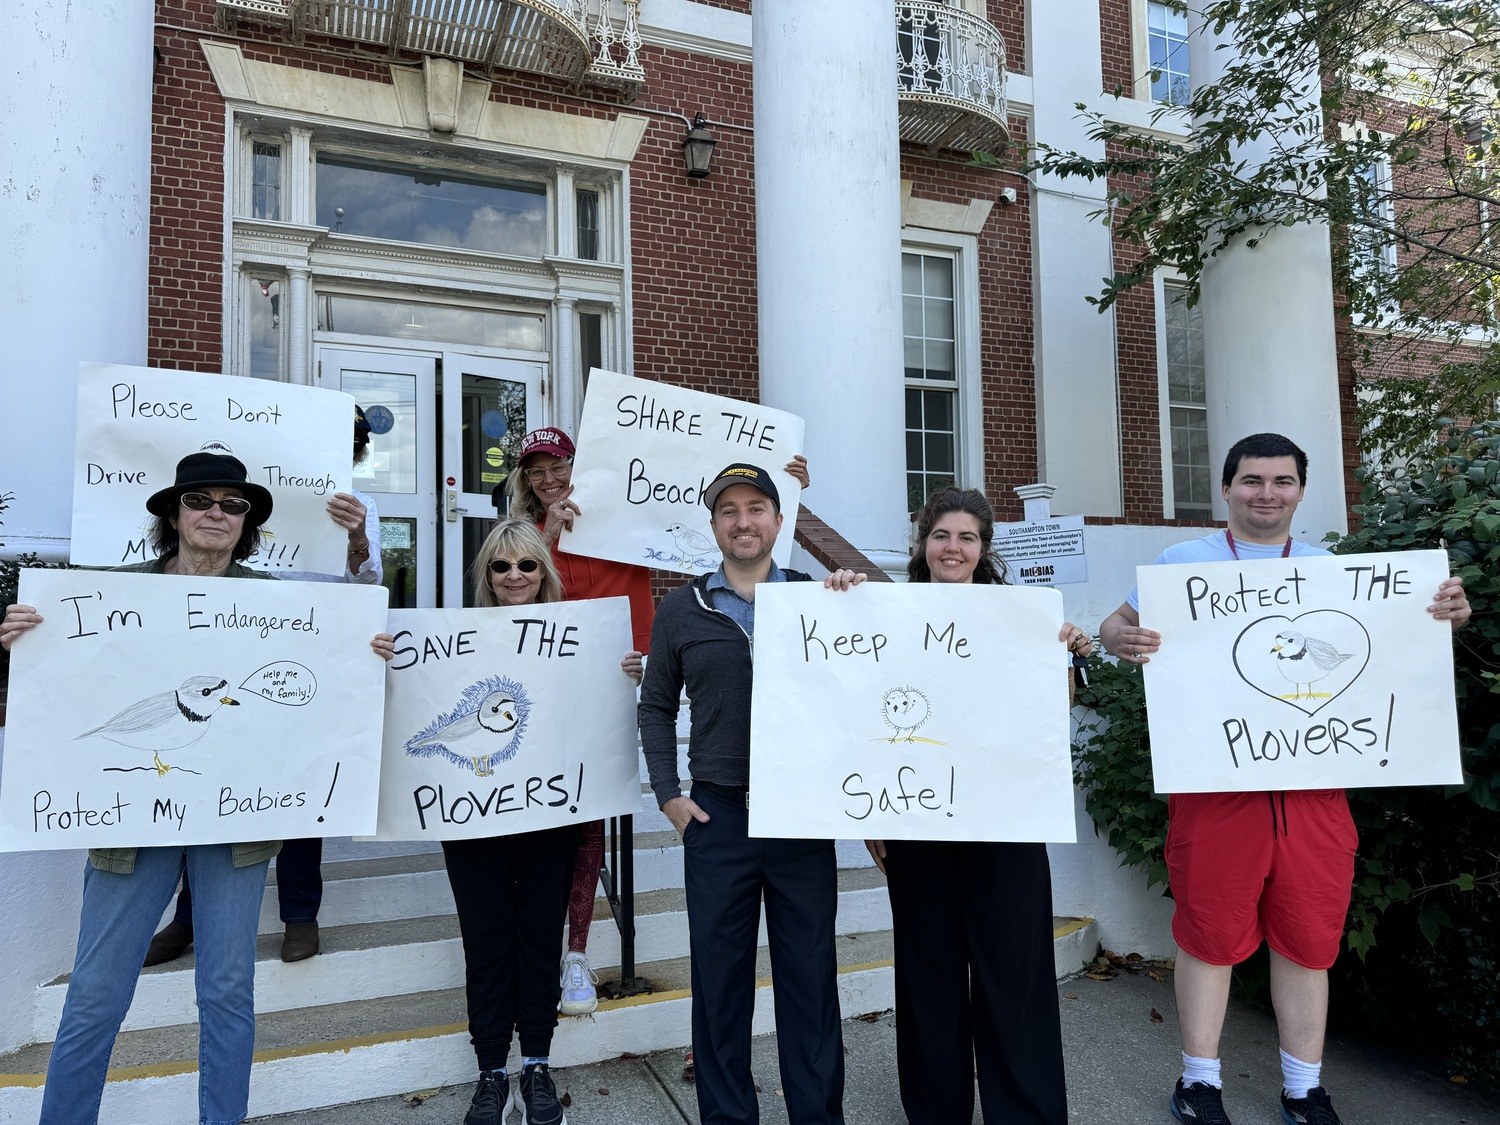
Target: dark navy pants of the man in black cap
{"points": [[727, 874]]}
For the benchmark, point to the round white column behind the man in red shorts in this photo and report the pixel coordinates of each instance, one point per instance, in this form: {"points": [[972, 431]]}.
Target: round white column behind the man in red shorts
{"points": [[1270, 353]]}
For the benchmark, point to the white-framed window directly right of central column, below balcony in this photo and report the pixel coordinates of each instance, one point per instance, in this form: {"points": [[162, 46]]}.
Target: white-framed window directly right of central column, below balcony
{"points": [[940, 328]]}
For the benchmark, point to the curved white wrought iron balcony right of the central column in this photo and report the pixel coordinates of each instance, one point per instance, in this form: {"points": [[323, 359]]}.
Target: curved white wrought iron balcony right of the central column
{"points": [[950, 73]]}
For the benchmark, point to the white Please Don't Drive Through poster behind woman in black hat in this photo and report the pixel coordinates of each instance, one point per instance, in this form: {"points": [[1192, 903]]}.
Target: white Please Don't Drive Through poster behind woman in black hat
{"points": [[136, 425]]}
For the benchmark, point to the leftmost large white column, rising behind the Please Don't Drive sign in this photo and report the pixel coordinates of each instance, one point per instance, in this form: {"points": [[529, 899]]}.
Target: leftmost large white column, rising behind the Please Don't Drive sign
{"points": [[76, 98]]}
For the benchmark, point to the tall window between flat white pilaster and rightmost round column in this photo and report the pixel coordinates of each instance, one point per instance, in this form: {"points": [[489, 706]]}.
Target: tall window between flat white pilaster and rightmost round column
{"points": [[1186, 404]]}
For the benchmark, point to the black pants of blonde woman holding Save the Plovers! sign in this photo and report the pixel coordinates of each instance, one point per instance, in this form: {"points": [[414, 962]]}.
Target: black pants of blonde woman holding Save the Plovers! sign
{"points": [[512, 899]]}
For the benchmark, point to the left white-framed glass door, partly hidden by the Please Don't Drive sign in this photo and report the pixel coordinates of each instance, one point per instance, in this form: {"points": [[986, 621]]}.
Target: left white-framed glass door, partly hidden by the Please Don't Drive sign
{"points": [[398, 392]]}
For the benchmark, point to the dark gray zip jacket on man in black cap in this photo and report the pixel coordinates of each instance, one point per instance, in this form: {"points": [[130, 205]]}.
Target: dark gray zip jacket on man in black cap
{"points": [[697, 646]]}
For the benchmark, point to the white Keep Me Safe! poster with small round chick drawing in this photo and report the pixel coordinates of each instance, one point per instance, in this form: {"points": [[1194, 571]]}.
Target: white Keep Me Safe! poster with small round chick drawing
{"points": [[910, 713]]}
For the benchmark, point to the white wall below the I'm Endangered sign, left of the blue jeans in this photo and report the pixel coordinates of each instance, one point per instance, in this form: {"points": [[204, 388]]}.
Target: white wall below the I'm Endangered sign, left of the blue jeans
{"points": [[43, 895]]}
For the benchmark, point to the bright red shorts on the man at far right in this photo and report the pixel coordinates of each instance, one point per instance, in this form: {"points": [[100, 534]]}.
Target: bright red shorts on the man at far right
{"points": [[1252, 866]]}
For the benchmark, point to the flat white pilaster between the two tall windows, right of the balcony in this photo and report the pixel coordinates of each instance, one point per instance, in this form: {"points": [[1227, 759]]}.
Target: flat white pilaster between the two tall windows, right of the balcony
{"points": [[1078, 394]]}
